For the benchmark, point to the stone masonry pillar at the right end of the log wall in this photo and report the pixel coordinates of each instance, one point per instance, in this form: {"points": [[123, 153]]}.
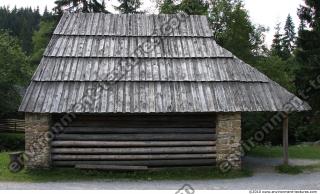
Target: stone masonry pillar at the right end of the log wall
{"points": [[228, 131]]}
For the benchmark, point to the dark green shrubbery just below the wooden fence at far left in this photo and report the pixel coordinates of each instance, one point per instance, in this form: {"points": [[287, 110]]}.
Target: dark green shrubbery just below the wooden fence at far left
{"points": [[11, 141]]}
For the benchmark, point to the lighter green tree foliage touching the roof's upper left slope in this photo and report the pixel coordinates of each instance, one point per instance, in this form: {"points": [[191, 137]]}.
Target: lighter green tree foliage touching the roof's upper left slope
{"points": [[40, 40]]}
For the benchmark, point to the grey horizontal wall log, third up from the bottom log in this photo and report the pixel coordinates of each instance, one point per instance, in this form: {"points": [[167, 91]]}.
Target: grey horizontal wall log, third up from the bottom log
{"points": [[202, 149]]}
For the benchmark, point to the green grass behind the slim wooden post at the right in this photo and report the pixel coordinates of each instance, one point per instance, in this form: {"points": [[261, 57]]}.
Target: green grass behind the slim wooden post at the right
{"points": [[297, 151]]}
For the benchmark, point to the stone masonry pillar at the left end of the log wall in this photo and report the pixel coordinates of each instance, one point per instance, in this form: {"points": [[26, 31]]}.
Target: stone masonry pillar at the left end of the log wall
{"points": [[37, 143]]}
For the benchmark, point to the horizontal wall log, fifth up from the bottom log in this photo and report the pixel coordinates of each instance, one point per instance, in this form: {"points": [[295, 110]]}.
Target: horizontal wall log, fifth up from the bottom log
{"points": [[136, 137]]}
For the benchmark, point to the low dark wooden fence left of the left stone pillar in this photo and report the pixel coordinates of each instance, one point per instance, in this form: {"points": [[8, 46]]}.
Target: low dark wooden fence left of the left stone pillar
{"points": [[12, 125]]}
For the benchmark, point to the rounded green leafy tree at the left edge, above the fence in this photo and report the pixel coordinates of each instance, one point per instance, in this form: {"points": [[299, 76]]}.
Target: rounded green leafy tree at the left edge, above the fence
{"points": [[14, 73]]}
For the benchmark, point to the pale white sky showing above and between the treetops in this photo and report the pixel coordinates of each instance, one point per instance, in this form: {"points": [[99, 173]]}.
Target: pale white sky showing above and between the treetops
{"points": [[263, 12]]}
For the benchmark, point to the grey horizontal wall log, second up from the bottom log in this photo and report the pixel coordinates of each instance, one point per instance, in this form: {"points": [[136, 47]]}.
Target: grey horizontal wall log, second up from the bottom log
{"points": [[131, 157]]}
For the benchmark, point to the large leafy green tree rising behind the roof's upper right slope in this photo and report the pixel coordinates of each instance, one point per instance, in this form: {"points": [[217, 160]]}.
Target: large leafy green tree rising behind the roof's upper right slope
{"points": [[234, 31]]}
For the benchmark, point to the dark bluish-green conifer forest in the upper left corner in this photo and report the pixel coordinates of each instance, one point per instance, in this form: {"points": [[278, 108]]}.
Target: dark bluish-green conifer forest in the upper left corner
{"points": [[20, 23]]}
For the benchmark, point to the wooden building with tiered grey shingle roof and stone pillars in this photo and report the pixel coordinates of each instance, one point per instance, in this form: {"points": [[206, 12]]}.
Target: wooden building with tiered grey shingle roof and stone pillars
{"points": [[141, 91]]}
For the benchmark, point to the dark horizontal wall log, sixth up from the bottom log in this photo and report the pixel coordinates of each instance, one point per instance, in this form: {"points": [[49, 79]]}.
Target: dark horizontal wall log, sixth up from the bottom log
{"points": [[136, 130]]}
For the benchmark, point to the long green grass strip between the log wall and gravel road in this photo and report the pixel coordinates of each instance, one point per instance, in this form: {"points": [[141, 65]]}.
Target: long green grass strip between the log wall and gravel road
{"points": [[70, 174]]}
